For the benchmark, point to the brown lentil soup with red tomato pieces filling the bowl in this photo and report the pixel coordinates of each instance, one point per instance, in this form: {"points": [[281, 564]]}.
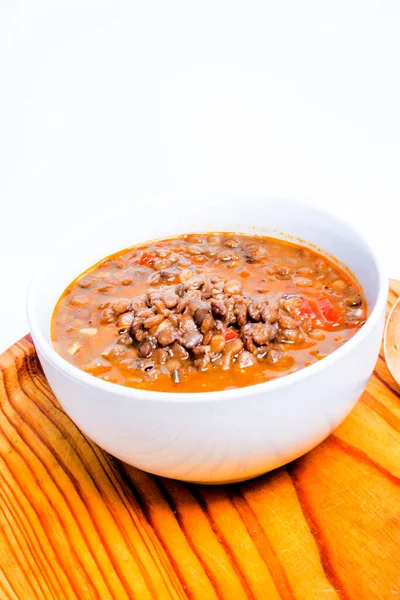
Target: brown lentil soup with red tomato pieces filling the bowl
{"points": [[206, 312]]}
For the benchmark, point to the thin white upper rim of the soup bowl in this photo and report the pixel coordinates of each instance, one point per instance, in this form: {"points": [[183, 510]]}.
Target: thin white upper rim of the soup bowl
{"points": [[71, 371]]}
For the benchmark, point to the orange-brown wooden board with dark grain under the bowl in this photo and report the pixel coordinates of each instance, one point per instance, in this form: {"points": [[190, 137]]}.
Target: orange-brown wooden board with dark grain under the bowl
{"points": [[76, 523]]}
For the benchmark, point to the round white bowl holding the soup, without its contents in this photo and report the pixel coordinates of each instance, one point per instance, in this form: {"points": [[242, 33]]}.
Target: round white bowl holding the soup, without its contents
{"points": [[212, 437]]}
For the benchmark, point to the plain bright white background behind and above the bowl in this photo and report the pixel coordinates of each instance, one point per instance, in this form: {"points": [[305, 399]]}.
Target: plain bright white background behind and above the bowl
{"points": [[102, 101]]}
